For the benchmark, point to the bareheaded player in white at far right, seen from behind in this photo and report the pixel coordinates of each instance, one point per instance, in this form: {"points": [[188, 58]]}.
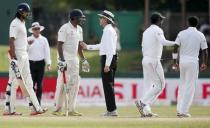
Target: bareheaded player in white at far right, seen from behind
{"points": [[189, 42]]}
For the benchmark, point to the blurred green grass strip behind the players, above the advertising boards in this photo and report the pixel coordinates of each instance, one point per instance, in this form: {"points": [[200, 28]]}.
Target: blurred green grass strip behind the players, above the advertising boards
{"points": [[129, 62]]}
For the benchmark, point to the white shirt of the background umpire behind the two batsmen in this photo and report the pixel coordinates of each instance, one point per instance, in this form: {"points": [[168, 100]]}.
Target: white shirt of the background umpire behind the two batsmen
{"points": [[39, 49]]}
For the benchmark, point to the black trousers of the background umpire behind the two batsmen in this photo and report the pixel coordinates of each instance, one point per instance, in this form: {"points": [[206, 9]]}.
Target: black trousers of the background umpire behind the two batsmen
{"points": [[37, 72]]}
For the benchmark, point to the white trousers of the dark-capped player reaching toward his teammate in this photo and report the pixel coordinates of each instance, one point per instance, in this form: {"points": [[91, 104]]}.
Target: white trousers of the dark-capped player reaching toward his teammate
{"points": [[154, 81]]}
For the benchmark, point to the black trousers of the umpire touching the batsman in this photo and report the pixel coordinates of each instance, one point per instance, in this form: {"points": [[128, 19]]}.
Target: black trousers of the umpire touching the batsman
{"points": [[108, 82]]}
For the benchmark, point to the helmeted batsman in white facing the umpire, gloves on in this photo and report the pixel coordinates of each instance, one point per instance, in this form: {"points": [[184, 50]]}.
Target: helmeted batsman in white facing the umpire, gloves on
{"points": [[69, 37]]}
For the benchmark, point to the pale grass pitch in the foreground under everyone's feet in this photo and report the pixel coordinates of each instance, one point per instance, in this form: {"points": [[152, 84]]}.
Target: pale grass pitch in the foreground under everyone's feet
{"points": [[129, 118]]}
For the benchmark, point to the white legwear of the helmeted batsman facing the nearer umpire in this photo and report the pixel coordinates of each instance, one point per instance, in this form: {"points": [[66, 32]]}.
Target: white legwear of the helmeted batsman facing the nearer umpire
{"points": [[73, 82]]}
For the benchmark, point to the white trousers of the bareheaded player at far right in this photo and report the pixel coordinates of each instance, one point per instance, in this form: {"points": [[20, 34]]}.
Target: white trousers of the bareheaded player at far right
{"points": [[188, 76]]}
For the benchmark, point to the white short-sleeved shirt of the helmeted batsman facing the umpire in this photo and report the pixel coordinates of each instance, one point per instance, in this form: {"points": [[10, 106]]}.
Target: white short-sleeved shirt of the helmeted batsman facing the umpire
{"points": [[71, 36]]}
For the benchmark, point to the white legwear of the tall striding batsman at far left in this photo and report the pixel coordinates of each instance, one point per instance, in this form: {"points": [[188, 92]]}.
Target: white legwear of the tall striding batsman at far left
{"points": [[23, 65]]}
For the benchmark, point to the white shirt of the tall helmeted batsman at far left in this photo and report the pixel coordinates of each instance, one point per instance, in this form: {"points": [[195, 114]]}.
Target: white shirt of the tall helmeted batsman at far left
{"points": [[18, 31]]}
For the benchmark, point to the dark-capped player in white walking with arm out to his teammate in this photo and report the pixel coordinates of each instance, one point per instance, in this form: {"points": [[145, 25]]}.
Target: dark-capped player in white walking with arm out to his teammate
{"points": [[154, 81]]}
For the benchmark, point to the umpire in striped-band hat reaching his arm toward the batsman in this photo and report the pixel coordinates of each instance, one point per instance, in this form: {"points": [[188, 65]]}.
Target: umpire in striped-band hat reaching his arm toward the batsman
{"points": [[107, 52]]}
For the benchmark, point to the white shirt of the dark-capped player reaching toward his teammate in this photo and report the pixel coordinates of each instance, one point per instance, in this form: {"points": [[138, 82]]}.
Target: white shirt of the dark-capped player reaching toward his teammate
{"points": [[153, 41]]}
